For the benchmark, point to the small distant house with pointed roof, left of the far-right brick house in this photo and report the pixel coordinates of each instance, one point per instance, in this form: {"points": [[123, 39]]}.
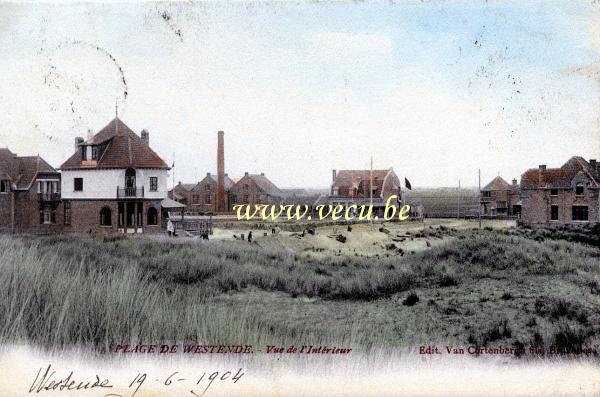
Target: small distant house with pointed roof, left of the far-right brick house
{"points": [[500, 198]]}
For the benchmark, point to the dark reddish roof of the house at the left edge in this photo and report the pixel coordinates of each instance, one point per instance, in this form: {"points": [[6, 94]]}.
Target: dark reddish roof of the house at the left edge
{"points": [[22, 171]]}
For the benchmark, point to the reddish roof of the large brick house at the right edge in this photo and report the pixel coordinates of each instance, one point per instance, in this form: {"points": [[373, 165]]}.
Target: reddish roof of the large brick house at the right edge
{"points": [[559, 177]]}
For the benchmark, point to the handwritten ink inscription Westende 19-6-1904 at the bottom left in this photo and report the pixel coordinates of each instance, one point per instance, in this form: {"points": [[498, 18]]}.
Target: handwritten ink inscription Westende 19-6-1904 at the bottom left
{"points": [[47, 380]]}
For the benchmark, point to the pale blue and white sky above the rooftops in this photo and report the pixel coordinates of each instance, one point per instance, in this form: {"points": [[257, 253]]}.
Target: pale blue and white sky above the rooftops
{"points": [[436, 90]]}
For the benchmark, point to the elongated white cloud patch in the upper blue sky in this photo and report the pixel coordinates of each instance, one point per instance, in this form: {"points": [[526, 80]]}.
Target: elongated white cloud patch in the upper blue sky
{"points": [[352, 43]]}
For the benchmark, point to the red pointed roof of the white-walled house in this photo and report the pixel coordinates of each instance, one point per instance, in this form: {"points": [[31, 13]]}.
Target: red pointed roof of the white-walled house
{"points": [[123, 149]]}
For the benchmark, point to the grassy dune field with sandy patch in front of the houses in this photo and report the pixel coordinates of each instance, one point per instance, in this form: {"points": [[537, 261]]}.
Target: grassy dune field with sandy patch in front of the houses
{"points": [[404, 285]]}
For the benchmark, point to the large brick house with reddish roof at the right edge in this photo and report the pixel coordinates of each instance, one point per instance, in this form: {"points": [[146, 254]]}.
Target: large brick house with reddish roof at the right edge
{"points": [[565, 195]]}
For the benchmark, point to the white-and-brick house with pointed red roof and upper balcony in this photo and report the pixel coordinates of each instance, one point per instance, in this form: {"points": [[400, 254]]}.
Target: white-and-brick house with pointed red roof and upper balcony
{"points": [[114, 182]]}
